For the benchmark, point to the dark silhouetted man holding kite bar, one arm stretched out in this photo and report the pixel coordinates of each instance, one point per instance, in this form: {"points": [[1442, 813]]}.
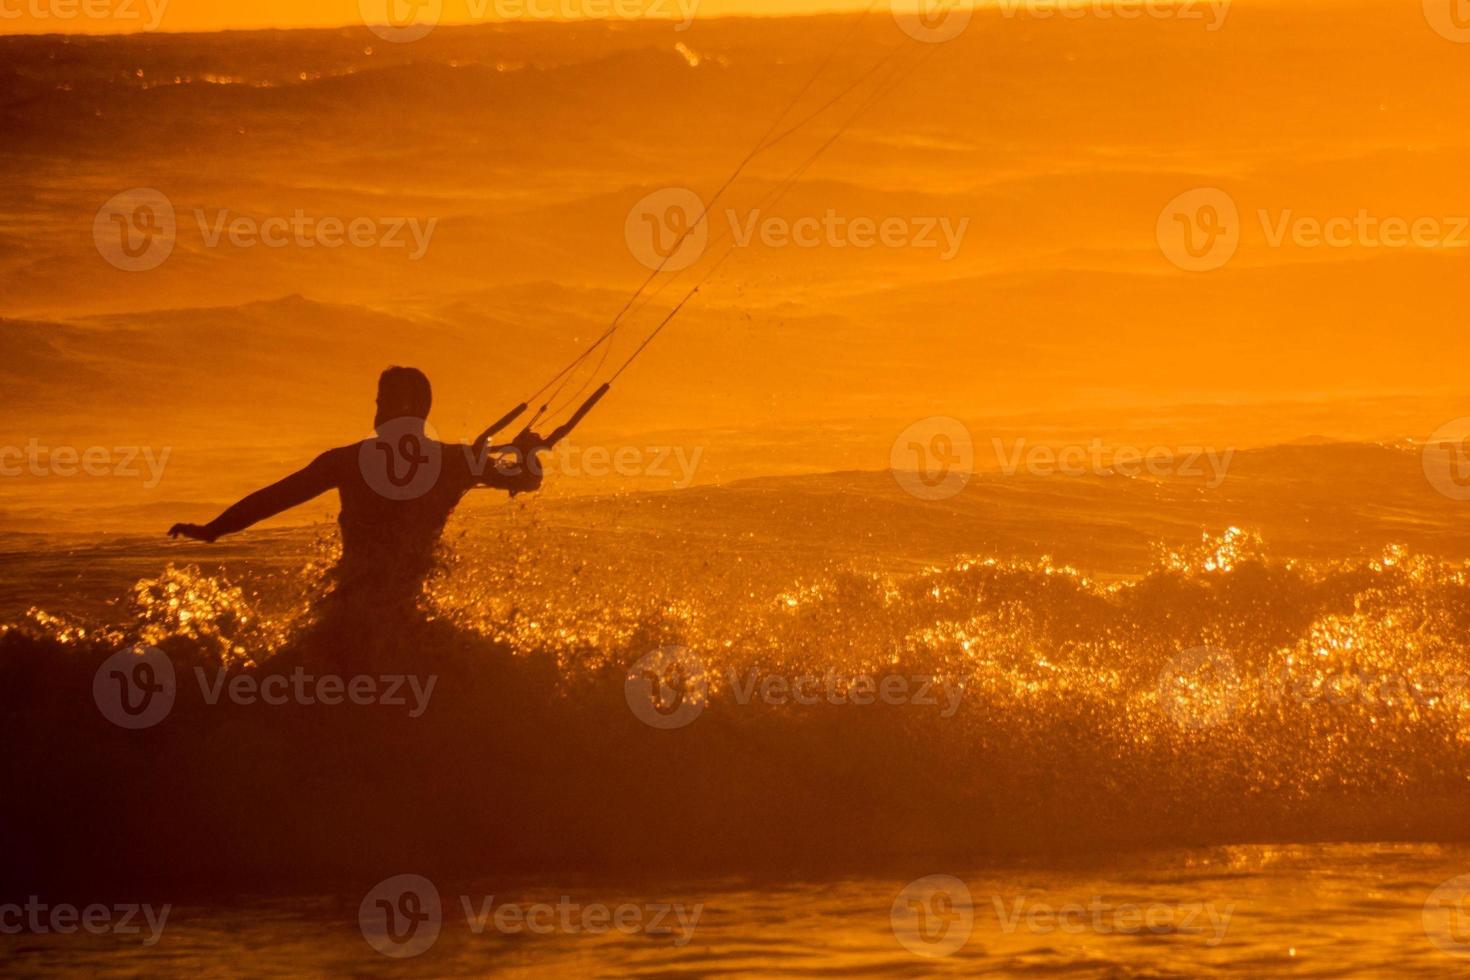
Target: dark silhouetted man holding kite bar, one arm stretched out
{"points": [[398, 493]]}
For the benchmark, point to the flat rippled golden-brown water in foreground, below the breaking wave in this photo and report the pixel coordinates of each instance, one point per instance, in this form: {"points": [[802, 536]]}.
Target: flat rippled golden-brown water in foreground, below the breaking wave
{"points": [[1244, 910]]}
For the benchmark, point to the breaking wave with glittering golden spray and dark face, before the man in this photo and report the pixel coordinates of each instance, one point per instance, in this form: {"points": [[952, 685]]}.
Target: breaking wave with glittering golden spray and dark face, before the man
{"points": [[598, 709]]}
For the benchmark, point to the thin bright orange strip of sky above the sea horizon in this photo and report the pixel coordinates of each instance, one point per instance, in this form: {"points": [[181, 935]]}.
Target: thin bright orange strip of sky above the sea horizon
{"points": [[107, 17]]}
